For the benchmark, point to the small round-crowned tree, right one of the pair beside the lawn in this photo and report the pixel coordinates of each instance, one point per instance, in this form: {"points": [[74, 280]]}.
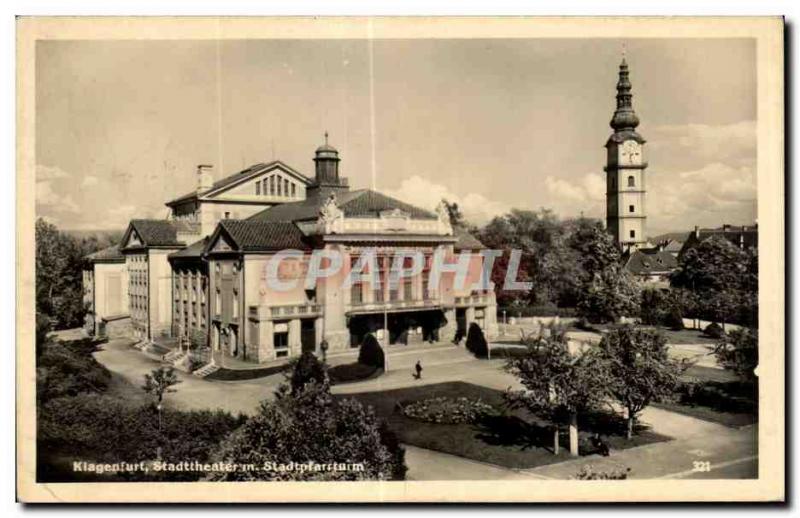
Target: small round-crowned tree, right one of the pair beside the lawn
{"points": [[640, 368]]}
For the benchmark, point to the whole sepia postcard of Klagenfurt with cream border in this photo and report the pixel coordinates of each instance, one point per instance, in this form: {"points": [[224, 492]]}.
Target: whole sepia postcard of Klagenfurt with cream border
{"points": [[272, 255]]}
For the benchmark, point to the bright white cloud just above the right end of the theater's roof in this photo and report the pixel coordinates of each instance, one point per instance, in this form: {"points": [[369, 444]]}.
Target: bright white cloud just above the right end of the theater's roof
{"points": [[477, 209]]}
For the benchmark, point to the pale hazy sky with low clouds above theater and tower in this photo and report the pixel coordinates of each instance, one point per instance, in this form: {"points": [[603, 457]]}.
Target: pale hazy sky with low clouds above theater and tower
{"points": [[490, 124]]}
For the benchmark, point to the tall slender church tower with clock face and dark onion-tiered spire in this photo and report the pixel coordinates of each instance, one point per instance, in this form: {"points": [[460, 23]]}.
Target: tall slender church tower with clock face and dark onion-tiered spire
{"points": [[626, 211]]}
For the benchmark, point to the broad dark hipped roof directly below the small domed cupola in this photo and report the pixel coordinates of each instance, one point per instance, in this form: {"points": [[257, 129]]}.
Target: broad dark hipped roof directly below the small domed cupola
{"points": [[361, 202]]}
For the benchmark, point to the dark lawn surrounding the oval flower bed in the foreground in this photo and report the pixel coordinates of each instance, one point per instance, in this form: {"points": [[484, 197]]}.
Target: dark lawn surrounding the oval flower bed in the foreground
{"points": [[512, 439]]}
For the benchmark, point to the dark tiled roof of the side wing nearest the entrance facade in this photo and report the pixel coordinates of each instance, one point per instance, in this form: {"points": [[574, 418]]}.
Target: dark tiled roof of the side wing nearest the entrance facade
{"points": [[263, 236]]}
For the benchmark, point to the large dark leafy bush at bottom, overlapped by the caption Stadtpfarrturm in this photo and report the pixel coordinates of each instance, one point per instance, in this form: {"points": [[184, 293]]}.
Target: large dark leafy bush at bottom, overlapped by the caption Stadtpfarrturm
{"points": [[310, 426]]}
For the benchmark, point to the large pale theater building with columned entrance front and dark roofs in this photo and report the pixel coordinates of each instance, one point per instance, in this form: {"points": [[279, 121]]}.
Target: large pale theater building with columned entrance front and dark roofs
{"points": [[203, 276]]}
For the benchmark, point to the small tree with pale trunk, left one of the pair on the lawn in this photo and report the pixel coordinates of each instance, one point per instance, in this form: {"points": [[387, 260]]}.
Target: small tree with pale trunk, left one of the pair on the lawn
{"points": [[559, 382]]}
